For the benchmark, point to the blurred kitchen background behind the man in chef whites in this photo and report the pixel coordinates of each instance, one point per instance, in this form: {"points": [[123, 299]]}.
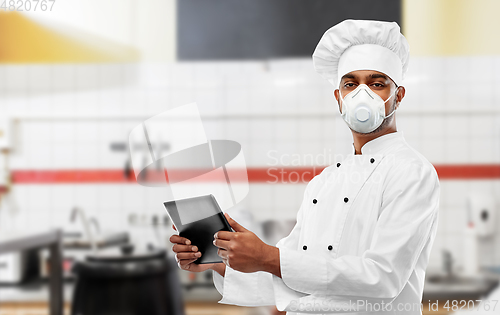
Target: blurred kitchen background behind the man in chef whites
{"points": [[76, 77]]}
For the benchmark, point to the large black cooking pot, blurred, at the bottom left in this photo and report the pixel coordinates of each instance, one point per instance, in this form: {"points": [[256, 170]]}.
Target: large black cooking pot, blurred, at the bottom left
{"points": [[127, 283]]}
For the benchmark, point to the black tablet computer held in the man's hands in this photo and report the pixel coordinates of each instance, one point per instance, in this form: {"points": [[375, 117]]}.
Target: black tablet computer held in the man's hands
{"points": [[198, 219]]}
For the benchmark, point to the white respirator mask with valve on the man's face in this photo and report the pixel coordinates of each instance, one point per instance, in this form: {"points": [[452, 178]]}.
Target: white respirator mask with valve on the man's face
{"points": [[363, 110]]}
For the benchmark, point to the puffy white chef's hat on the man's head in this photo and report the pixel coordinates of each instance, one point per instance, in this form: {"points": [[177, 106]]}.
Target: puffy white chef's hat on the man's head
{"points": [[362, 45]]}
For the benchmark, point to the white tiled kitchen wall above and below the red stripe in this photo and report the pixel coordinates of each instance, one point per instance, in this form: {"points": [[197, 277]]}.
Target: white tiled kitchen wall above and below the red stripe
{"points": [[67, 116]]}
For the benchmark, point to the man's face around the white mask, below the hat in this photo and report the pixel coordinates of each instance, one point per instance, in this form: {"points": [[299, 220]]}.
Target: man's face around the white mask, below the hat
{"points": [[379, 83]]}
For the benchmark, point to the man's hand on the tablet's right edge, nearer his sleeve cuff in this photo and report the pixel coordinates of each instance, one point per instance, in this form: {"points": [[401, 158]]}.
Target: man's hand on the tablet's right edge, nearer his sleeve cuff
{"points": [[242, 250]]}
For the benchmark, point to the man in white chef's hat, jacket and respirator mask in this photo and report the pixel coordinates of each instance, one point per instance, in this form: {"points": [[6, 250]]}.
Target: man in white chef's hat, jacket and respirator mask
{"points": [[366, 225]]}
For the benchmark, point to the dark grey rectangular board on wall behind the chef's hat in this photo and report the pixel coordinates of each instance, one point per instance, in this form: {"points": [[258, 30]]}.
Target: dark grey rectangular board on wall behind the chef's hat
{"points": [[264, 29]]}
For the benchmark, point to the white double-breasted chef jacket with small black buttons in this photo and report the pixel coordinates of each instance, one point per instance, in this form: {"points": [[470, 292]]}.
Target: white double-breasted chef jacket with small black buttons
{"points": [[362, 239]]}
